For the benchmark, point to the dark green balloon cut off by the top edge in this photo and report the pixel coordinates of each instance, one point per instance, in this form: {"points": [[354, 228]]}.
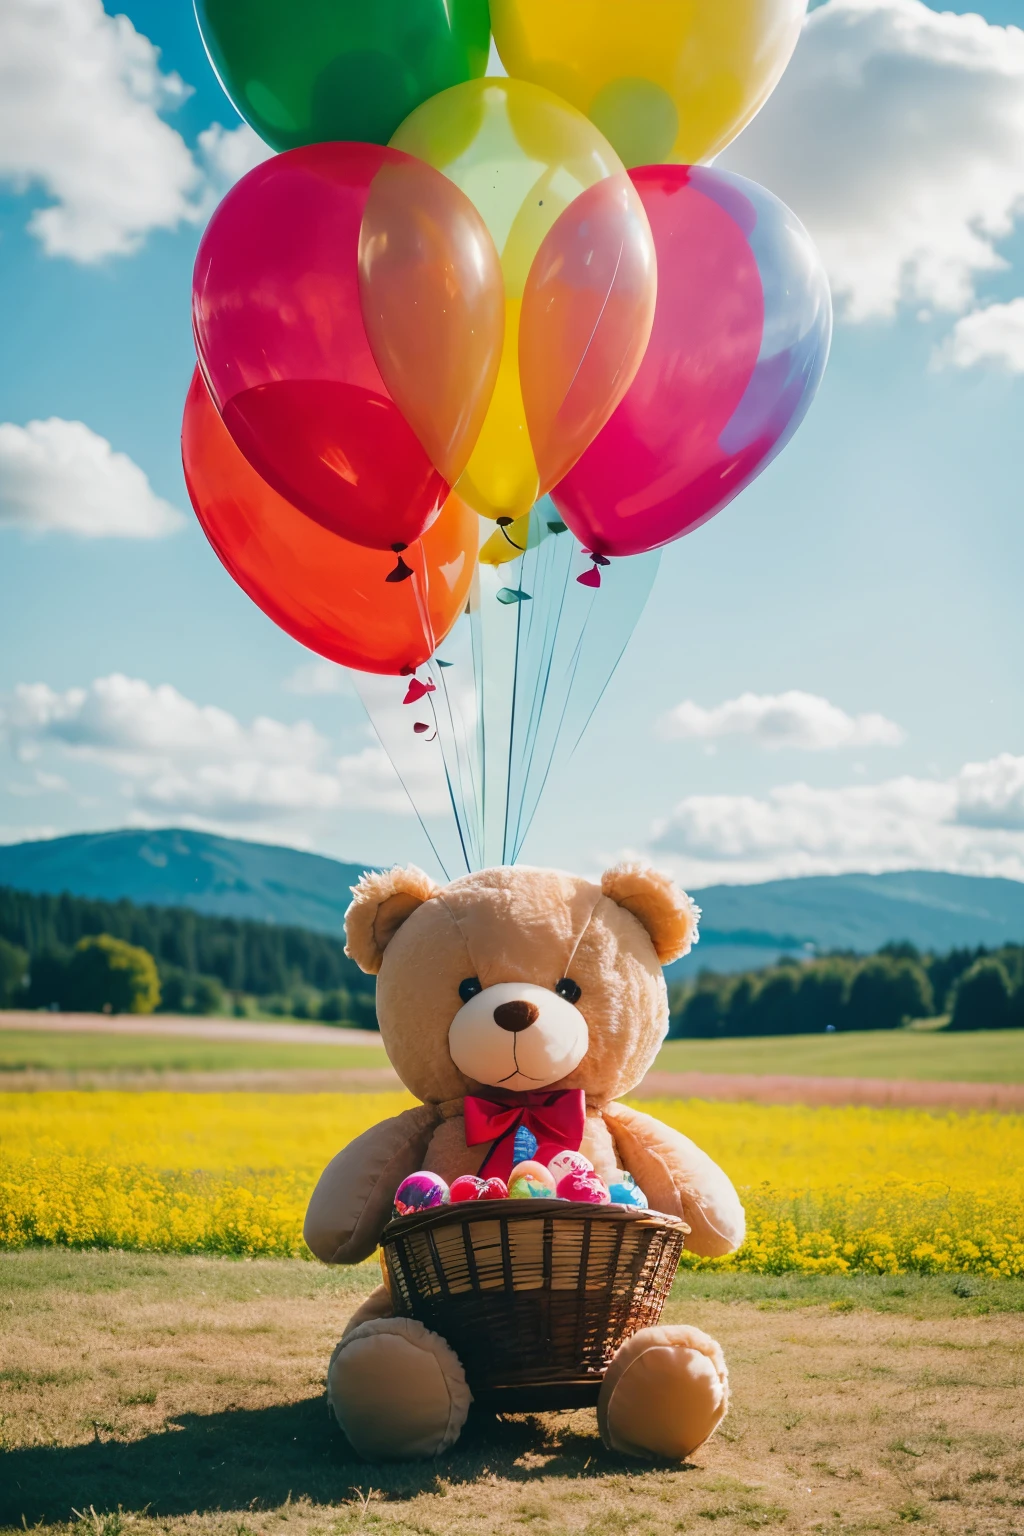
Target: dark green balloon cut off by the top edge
{"points": [[309, 71]]}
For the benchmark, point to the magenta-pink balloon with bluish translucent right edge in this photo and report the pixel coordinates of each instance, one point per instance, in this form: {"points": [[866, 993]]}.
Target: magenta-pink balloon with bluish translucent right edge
{"points": [[739, 346]]}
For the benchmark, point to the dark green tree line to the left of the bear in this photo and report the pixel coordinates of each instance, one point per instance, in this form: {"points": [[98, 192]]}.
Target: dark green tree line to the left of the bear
{"points": [[203, 965]]}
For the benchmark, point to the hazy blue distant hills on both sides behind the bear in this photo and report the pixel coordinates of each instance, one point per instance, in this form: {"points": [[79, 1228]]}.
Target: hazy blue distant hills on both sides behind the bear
{"points": [[744, 925]]}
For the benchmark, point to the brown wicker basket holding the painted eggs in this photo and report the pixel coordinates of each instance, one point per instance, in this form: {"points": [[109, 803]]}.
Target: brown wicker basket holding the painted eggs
{"points": [[535, 1297]]}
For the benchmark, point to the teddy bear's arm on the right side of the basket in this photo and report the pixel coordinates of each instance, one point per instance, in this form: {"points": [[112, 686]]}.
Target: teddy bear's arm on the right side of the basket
{"points": [[679, 1179]]}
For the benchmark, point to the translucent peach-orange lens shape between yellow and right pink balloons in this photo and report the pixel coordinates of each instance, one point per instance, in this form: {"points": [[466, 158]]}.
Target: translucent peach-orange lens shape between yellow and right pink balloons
{"points": [[587, 319]]}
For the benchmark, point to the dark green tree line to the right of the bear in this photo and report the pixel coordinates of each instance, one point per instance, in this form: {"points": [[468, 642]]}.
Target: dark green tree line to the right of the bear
{"points": [[979, 990]]}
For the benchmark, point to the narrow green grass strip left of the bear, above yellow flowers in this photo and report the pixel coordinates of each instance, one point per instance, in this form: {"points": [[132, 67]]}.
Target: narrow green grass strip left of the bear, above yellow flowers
{"points": [[27, 1051]]}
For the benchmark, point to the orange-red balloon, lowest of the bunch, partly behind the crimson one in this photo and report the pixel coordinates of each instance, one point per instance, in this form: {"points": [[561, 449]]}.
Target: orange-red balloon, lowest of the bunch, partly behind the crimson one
{"points": [[329, 595]]}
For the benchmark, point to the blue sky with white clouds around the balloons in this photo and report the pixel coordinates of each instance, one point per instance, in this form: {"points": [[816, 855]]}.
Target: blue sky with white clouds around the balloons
{"points": [[828, 677]]}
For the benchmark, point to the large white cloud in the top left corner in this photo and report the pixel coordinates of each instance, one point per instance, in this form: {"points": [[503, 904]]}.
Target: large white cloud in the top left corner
{"points": [[82, 102]]}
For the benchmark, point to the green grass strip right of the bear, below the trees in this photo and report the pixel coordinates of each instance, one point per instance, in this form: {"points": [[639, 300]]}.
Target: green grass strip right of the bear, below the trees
{"points": [[991, 1056]]}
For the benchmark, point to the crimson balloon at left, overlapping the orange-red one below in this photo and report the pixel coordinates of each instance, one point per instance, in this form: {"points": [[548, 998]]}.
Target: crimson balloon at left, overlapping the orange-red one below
{"points": [[279, 319]]}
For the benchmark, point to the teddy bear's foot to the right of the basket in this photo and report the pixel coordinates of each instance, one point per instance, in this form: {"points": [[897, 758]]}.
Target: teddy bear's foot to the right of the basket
{"points": [[666, 1394]]}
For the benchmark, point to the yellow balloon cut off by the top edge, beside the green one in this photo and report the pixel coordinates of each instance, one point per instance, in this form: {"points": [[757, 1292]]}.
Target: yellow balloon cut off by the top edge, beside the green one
{"points": [[661, 79]]}
